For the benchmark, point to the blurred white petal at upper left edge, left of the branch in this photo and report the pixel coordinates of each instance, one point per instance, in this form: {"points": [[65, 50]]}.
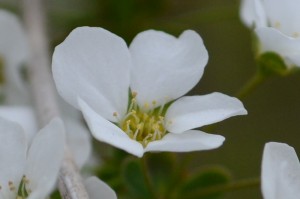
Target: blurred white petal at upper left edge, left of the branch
{"points": [[14, 50]]}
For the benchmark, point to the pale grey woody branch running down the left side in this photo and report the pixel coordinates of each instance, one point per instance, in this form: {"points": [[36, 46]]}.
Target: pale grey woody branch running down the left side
{"points": [[44, 95]]}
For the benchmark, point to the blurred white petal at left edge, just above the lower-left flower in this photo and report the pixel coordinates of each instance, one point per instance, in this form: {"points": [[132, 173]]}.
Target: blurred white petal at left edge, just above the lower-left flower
{"points": [[22, 115]]}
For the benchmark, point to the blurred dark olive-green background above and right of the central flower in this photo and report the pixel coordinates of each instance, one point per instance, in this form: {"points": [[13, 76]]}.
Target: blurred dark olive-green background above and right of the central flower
{"points": [[273, 107]]}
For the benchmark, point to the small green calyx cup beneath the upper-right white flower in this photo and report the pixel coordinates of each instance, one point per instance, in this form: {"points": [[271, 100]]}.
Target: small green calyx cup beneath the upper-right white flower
{"points": [[271, 63]]}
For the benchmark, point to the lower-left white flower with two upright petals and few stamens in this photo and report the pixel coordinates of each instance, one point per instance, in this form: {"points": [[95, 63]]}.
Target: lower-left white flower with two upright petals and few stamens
{"points": [[29, 171]]}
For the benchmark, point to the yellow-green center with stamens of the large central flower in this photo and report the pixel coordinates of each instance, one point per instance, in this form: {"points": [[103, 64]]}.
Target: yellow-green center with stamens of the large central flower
{"points": [[143, 124]]}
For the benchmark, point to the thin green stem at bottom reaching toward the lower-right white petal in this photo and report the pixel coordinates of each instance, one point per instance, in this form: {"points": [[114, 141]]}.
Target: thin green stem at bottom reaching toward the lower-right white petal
{"points": [[241, 184]]}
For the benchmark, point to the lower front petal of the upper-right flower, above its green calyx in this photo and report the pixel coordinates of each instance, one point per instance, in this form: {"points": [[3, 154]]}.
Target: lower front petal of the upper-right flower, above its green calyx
{"points": [[273, 40]]}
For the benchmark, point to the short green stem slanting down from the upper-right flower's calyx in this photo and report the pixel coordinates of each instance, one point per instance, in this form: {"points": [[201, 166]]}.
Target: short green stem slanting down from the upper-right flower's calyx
{"points": [[252, 83]]}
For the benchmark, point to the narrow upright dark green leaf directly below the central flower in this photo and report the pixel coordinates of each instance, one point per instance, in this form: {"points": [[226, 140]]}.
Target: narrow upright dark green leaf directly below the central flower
{"points": [[134, 180]]}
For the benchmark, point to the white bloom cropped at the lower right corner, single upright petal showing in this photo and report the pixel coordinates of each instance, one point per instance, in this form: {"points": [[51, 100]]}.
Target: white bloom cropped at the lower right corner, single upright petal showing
{"points": [[280, 172]]}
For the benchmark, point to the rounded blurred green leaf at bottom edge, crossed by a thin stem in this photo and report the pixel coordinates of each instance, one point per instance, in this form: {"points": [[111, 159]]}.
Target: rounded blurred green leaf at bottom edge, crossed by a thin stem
{"points": [[205, 184]]}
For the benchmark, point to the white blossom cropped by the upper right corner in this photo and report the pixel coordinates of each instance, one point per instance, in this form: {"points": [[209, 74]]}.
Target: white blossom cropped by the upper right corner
{"points": [[276, 25]]}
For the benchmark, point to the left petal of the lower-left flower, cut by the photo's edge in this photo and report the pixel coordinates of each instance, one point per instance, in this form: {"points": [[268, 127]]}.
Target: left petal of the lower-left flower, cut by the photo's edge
{"points": [[13, 149]]}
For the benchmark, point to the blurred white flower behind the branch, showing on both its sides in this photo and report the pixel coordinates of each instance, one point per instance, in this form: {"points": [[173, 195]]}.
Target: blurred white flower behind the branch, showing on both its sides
{"points": [[77, 136]]}
